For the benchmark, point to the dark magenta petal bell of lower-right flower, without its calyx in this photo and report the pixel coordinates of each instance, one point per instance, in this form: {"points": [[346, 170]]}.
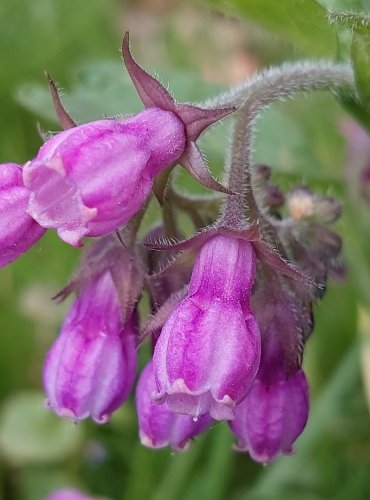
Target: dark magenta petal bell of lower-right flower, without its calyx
{"points": [[274, 413]]}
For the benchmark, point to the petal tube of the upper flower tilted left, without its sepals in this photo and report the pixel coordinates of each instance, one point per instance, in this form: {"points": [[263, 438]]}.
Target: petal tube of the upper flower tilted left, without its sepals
{"points": [[91, 179]]}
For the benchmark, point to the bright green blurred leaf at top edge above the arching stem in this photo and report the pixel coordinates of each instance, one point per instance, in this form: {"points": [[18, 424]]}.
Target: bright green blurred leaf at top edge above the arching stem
{"points": [[303, 23]]}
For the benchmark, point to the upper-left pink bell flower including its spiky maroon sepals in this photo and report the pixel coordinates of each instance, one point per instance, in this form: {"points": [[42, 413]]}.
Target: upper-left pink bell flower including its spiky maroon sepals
{"points": [[91, 179]]}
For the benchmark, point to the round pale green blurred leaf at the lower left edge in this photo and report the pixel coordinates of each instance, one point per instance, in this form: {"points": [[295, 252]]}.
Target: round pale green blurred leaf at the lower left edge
{"points": [[29, 433]]}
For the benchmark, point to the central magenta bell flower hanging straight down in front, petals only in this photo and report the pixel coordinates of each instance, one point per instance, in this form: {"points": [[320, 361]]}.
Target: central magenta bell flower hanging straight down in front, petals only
{"points": [[209, 350]]}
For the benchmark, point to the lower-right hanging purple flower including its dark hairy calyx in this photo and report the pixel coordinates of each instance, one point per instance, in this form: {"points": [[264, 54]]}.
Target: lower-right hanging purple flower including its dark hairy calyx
{"points": [[275, 411]]}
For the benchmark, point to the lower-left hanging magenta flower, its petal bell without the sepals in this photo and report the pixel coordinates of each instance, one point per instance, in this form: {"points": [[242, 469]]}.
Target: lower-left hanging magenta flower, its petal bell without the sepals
{"points": [[91, 367]]}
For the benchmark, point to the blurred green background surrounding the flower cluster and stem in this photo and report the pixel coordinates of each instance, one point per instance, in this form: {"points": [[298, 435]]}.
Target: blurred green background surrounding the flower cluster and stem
{"points": [[199, 48]]}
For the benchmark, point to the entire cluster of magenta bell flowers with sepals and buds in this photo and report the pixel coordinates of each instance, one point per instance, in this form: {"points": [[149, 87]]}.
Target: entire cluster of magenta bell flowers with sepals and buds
{"points": [[230, 315]]}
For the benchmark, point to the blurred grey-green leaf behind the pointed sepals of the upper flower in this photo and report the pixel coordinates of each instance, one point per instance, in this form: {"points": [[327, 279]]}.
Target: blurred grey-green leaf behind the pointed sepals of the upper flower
{"points": [[103, 88]]}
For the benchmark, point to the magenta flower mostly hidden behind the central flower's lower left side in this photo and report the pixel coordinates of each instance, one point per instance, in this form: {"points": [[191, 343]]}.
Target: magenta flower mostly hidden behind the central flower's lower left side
{"points": [[160, 427]]}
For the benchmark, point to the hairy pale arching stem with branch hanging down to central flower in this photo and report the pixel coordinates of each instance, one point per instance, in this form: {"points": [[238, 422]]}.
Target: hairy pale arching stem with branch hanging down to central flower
{"points": [[255, 96]]}
